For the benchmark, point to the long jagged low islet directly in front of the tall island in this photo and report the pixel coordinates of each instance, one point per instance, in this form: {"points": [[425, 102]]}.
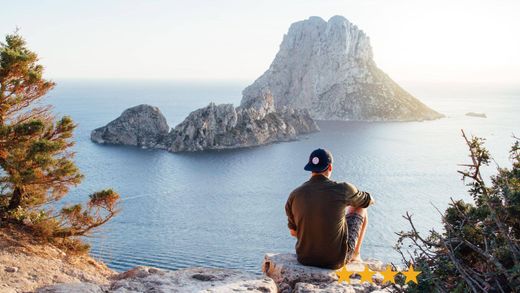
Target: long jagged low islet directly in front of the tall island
{"points": [[224, 127]]}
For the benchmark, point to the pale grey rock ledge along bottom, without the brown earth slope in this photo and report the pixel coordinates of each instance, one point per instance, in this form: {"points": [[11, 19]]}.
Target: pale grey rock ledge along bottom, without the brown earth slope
{"points": [[282, 273]]}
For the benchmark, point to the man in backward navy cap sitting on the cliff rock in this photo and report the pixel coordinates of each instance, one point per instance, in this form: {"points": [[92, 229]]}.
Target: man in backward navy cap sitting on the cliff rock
{"points": [[328, 218]]}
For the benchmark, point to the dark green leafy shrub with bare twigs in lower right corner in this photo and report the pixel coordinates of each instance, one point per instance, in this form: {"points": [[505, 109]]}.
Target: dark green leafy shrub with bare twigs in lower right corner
{"points": [[478, 249]]}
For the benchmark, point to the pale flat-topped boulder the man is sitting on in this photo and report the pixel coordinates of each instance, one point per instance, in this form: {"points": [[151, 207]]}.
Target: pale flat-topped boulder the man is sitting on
{"points": [[291, 276]]}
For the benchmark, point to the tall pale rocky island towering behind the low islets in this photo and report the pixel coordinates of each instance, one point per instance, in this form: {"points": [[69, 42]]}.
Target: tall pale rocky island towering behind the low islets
{"points": [[327, 68]]}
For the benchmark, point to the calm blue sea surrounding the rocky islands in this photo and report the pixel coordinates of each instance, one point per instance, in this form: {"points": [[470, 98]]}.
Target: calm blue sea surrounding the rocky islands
{"points": [[226, 209]]}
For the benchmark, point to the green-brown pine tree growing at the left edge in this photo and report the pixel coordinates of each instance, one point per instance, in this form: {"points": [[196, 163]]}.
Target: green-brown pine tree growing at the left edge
{"points": [[36, 167]]}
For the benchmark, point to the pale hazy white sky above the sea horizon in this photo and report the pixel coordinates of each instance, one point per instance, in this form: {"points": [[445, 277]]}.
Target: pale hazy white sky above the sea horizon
{"points": [[413, 40]]}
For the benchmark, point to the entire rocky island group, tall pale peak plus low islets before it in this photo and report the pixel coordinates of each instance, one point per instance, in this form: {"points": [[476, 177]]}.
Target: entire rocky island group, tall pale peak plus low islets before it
{"points": [[323, 70]]}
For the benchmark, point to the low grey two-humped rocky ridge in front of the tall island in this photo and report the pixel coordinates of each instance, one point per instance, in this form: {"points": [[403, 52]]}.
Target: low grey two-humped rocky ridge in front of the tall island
{"points": [[210, 128]]}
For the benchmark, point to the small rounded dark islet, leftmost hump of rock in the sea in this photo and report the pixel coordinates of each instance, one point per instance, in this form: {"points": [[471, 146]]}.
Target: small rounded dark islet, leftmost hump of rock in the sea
{"points": [[142, 126]]}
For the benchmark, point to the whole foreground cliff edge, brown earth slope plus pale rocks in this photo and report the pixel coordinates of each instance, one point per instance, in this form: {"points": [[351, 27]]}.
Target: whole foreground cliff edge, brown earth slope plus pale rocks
{"points": [[28, 266]]}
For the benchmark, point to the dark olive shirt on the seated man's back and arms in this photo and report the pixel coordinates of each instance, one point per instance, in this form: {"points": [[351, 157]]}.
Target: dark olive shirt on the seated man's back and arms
{"points": [[316, 210]]}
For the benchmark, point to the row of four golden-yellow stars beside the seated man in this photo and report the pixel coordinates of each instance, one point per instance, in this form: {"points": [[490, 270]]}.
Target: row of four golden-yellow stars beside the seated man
{"points": [[367, 274]]}
